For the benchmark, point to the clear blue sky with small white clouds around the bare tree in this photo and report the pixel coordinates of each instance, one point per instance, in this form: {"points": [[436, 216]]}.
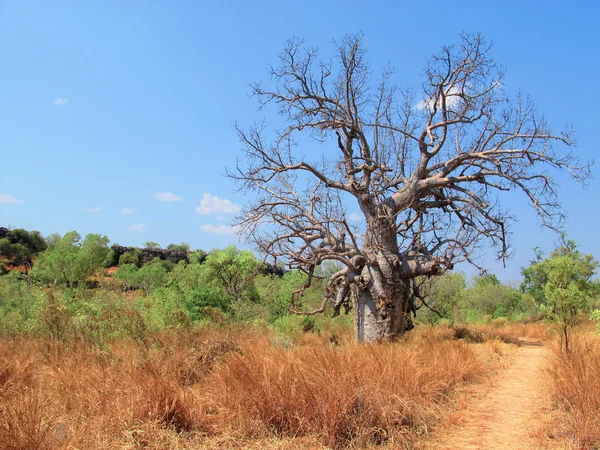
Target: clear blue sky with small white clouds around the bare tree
{"points": [[117, 117]]}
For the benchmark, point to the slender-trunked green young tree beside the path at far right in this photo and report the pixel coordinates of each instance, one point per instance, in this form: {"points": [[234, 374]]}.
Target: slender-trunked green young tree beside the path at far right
{"points": [[564, 279]]}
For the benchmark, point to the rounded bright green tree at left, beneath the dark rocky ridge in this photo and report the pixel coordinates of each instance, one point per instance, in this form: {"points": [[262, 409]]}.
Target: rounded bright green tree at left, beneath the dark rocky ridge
{"points": [[71, 260]]}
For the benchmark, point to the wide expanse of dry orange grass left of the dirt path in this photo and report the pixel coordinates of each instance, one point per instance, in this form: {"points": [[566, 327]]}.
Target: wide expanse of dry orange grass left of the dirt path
{"points": [[213, 390]]}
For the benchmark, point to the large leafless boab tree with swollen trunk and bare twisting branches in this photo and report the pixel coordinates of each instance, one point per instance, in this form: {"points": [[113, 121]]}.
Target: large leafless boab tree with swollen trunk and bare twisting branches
{"points": [[424, 170]]}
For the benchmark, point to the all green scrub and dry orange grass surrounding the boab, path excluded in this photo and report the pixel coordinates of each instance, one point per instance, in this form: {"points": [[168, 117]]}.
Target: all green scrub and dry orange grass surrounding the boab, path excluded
{"points": [[105, 352]]}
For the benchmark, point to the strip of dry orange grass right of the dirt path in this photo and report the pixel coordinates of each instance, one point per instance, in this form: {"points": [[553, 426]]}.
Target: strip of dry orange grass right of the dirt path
{"points": [[576, 379]]}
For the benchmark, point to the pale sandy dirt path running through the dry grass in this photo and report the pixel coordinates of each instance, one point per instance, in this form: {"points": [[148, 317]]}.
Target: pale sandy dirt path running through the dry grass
{"points": [[505, 415]]}
